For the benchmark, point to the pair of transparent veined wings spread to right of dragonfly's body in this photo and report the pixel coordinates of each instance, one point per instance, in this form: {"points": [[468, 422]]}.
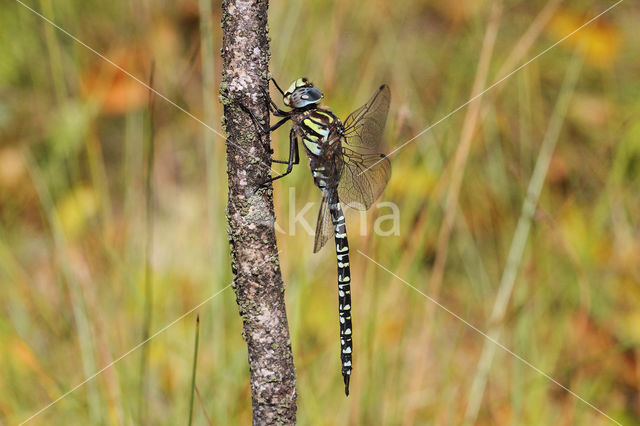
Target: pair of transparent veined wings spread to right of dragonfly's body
{"points": [[364, 170]]}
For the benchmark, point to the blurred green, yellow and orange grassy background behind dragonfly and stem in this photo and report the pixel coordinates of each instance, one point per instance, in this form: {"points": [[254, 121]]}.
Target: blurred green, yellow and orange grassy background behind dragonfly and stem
{"points": [[89, 268]]}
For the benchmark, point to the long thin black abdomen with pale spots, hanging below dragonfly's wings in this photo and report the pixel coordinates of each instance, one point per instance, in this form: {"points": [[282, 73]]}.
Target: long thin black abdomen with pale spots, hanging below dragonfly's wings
{"points": [[344, 287]]}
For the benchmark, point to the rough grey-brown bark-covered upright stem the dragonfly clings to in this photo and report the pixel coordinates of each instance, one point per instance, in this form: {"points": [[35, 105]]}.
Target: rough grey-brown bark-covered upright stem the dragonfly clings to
{"points": [[257, 280]]}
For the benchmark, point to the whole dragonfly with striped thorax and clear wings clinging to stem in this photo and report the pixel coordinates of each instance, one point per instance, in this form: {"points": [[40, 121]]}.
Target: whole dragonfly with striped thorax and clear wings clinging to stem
{"points": [[347, 165]]}
